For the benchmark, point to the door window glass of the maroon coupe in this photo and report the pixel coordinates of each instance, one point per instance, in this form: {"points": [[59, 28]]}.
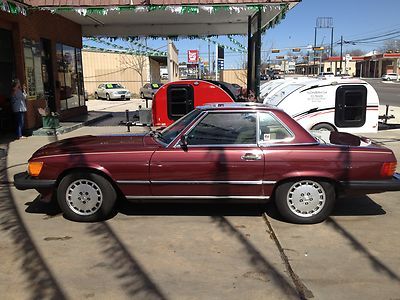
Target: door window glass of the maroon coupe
{"points": [[225, 129]]}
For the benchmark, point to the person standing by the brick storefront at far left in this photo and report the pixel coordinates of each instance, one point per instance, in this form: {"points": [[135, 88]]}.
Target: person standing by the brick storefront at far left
{"points": [[18, 104]]}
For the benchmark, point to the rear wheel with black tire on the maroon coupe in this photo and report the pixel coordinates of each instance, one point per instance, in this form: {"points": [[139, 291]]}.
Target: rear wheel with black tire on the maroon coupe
{"points": [[286, 193]]}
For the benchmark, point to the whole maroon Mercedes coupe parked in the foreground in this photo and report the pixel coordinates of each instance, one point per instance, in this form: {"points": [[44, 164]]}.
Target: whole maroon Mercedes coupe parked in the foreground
{"points": [[223, 152]]}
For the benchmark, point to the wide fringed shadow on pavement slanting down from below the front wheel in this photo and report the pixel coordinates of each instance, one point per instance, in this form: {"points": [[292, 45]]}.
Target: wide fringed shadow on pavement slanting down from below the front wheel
{"points": [[134, 279]]}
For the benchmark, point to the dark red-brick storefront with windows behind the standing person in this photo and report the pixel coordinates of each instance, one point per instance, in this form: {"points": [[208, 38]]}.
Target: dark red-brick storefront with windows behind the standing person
{"points": [[43, 50]]}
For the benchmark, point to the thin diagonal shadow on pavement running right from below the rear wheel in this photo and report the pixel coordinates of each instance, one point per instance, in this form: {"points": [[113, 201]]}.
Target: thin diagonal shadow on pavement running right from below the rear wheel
{"points": [[376, 263]]}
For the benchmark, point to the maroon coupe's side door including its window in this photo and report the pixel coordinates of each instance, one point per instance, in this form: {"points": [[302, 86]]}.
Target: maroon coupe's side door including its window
{"points": [[222, 159]]}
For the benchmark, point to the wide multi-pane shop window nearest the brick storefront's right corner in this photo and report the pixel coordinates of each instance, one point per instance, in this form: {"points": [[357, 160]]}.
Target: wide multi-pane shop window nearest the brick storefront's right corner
{"points": [[70, 76]]}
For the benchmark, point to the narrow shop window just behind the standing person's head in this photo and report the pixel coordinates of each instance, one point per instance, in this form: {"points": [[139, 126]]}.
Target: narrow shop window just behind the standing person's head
{"points": [[33, 69]]}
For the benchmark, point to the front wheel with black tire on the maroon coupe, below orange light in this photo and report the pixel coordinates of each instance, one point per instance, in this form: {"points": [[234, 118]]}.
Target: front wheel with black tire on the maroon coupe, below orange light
{"points": [[95, 184]]}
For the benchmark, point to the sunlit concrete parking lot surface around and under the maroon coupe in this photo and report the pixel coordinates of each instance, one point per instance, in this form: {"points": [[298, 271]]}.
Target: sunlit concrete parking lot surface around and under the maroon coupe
{"points": [[193, 251]]}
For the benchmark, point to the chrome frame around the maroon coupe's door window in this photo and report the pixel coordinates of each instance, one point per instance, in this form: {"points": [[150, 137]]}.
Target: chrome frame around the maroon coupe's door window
{"points": [[201, 117]]}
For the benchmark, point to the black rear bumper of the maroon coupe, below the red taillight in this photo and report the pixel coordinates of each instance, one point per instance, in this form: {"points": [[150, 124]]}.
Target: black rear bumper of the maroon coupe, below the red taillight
{"points": [[371, 186]]}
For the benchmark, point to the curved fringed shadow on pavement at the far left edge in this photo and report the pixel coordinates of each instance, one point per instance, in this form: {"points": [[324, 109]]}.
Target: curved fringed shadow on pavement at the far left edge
{"points": [[41, 283]]}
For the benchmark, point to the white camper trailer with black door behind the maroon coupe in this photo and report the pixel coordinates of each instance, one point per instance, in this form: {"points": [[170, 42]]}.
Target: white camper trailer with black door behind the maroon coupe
{"points": [[348, 105]]}
